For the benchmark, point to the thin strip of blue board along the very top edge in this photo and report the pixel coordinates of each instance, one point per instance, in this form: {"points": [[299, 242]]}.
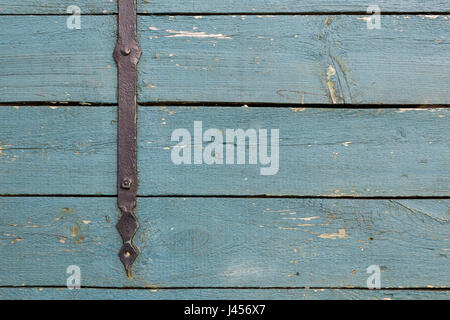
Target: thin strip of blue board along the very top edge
{"points": [[173, 6]]}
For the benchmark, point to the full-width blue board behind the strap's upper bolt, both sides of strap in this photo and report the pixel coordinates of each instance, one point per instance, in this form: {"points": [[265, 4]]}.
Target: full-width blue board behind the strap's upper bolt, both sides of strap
{"points": [[279, 59]]}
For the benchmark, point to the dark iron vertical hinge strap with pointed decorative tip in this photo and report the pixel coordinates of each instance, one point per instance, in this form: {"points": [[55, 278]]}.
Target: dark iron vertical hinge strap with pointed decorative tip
{"points": [[127, 53]]}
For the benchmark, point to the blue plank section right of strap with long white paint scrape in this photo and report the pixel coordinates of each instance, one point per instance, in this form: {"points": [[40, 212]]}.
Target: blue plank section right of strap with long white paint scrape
{"points": [[295, 59]]}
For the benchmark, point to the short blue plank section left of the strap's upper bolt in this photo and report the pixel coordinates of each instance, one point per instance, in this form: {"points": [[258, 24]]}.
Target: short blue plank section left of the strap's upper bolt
{"points": [[42, 60]]}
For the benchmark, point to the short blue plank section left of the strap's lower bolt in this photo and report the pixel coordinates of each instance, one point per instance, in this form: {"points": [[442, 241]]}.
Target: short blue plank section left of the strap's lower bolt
{"points": [[51, 150]]}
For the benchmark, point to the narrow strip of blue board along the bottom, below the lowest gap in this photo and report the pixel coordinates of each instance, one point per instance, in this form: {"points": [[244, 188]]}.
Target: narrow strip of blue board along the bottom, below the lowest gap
{"points": [[215, 294]]}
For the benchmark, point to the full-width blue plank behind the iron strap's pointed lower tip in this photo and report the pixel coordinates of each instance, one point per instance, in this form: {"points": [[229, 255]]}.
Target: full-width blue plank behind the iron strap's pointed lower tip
{"points": [[217, 242]]}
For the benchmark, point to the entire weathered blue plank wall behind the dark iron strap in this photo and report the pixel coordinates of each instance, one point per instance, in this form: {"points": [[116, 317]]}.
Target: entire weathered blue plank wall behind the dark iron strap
{"points": [[248, 244]]}
